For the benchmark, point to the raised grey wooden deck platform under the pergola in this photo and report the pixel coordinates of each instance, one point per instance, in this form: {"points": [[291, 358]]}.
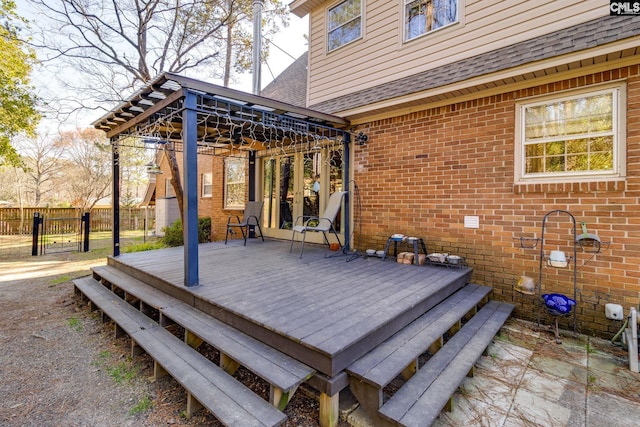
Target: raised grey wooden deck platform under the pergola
{"points": [[325, 312]]}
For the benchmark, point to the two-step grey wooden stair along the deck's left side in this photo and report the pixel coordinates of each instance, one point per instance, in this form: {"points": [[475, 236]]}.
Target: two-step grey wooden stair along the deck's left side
{"points": [[129, 303]]}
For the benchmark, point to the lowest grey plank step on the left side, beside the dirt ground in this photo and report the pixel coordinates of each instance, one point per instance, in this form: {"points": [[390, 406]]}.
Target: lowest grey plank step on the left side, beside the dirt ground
{"points": [[227, 399]]}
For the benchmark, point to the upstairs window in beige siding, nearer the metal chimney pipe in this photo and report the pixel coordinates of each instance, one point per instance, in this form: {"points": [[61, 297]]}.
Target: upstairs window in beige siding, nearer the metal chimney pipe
{"points": [[344, 23]]}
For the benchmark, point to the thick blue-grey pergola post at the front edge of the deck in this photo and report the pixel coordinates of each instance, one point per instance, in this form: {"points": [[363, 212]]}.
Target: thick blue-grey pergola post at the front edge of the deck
{"points": [[190, 199]]}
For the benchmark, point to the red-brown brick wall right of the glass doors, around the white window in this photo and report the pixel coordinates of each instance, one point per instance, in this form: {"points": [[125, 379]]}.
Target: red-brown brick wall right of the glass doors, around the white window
{"points": [[421, 173]]}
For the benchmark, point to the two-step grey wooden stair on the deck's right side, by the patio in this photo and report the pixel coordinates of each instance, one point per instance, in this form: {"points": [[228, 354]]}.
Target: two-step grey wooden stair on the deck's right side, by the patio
{"points": [[428, 388]]}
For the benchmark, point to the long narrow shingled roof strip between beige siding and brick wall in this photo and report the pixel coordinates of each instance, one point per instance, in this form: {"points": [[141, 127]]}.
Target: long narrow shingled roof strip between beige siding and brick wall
{"points": [[580, 37]]}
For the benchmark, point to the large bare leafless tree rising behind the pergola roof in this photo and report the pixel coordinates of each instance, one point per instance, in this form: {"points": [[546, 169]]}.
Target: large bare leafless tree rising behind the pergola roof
{"points": [[118, 45]]}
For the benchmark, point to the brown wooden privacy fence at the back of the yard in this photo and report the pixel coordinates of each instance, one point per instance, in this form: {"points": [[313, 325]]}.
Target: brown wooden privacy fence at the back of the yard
{"points": [[16, 221]]}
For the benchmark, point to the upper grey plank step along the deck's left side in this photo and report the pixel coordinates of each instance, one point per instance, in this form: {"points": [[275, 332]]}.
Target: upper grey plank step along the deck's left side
{"points": [[283, 372]]}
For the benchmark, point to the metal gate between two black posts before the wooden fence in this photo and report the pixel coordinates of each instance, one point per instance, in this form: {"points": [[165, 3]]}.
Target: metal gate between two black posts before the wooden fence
{"points": [[54, 235]]}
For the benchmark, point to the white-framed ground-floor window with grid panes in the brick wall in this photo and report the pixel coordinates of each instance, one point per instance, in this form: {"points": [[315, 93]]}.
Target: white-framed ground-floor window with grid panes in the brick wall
{"points": [[569, 137]]}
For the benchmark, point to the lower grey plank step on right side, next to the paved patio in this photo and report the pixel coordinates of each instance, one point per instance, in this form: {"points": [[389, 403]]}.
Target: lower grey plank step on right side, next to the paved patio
{"points": [[423, 397]]}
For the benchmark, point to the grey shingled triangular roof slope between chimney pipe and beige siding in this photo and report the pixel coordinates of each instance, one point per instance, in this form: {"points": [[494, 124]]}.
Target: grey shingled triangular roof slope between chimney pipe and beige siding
{"points": [[290, 86]]}
